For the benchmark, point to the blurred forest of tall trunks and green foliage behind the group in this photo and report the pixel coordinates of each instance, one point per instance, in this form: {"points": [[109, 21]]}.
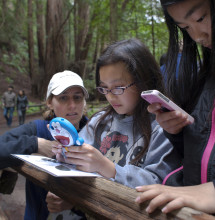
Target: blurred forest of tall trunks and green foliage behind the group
{"points": [[41, 37]]}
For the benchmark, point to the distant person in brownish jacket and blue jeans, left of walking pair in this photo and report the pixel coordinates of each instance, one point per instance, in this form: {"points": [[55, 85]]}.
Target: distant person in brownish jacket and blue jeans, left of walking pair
{"points": [[8, 102]]}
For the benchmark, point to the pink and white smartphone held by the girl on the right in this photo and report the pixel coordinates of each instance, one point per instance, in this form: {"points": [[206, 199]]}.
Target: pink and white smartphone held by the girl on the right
{"points": [[154, 96]]}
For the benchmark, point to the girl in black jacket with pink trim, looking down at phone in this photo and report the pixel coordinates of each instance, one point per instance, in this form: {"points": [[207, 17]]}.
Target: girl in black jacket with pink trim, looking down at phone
{"points": [[194, 91]]}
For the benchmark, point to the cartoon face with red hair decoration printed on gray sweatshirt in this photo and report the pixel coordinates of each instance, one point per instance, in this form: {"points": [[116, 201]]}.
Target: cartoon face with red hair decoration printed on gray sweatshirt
{"points": [[114, 147]]}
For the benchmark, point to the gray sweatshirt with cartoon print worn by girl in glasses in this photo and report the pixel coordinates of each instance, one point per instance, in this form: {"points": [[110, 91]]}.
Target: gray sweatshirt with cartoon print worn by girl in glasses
{"points": [[120, 145]]}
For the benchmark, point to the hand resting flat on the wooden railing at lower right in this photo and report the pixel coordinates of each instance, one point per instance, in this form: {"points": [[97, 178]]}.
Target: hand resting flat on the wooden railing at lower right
{"points": [[172, 198]]}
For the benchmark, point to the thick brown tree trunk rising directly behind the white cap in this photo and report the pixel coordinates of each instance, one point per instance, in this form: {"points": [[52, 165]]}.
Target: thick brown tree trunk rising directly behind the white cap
{"points": [[56, 46]]}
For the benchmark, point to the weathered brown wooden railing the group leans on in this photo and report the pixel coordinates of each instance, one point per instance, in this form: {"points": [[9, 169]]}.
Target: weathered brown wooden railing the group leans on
{"points": [[102, 198]]}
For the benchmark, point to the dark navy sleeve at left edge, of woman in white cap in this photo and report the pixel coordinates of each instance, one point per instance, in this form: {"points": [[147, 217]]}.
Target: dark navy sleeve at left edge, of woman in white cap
{"points": [[20, 140]]}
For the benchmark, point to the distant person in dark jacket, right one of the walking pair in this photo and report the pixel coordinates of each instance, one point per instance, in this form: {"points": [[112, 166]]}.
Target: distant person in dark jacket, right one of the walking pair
{"points": [[22, 105]]}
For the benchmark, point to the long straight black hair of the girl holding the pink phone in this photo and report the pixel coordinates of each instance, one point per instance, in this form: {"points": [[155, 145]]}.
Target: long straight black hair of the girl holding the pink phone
{"points": [[192, 71]]}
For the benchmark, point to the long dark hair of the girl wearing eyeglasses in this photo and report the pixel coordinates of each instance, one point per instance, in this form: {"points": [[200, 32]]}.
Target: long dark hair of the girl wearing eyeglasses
{"points": [[141, 64]]}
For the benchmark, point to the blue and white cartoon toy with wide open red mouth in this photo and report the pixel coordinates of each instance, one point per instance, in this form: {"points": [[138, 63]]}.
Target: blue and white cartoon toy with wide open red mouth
{"points": [[64, 132]]}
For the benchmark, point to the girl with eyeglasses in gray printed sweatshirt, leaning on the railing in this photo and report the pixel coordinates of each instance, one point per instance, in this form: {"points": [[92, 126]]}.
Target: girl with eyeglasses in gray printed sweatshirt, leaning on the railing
{"points": [[123, 141]]}
